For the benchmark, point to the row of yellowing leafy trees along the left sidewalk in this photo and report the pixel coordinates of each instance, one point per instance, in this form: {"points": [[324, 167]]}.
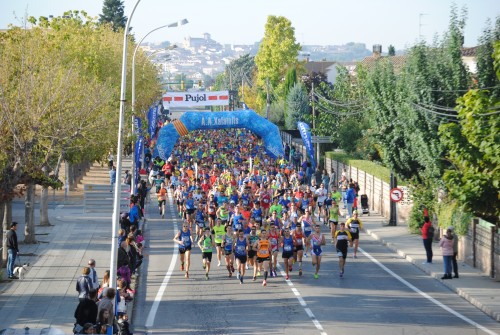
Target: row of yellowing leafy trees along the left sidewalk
{"points": [[59, 101]]}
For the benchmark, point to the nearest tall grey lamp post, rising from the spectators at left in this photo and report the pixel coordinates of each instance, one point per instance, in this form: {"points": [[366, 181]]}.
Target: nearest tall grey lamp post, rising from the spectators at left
{"points": [[119, 149]]}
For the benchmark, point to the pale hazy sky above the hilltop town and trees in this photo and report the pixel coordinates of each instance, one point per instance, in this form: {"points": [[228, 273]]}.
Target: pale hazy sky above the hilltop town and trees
{"points": [[396, 22]]}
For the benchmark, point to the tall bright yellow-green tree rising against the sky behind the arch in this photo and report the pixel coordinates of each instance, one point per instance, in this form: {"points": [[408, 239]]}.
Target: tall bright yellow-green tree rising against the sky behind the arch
{"points": [[278, 51]]}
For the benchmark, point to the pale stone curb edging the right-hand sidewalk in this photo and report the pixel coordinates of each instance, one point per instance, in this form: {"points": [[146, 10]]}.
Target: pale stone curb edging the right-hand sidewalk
{"points": [[462, 293]]}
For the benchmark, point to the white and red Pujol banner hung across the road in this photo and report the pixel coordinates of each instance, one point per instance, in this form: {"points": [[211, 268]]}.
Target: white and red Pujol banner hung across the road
{"points": [[193, 99]]}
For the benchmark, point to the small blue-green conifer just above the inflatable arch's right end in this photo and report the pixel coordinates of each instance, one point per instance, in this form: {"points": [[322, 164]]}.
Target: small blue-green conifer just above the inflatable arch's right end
{"points": [[297, 107]]}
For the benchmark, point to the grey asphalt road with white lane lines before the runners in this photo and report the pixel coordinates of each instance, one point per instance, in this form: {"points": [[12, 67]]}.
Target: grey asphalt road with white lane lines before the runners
{"points": [[379, 294]]}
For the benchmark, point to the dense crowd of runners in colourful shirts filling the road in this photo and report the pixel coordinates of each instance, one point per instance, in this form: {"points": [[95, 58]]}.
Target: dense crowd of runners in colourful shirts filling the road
{"points": [[250, 209]]}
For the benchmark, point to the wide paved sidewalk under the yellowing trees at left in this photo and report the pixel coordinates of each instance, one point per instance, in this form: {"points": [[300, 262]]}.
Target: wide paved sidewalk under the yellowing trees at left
{"points": [[47, 297]]}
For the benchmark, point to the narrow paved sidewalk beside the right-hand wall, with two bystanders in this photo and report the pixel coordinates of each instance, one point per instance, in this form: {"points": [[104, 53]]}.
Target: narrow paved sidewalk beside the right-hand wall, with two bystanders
{"points": [[473, 285]]}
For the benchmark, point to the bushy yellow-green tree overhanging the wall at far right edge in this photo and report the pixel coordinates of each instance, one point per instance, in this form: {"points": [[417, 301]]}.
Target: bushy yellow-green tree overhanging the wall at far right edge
{"points": [[474, 150]]}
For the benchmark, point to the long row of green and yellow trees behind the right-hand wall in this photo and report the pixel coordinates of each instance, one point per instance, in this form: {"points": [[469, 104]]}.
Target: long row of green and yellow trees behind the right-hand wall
{"points": [[428, 118]]}
